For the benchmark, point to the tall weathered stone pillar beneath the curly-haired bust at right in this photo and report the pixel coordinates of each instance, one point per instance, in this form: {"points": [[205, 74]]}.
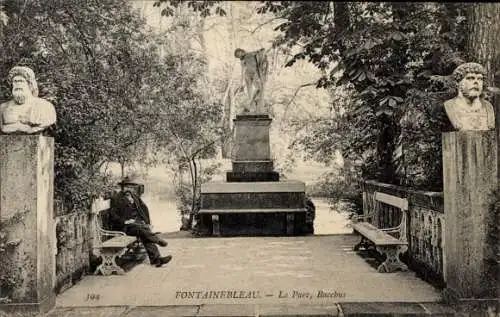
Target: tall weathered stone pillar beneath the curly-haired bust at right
{"points": [[470, 178]]}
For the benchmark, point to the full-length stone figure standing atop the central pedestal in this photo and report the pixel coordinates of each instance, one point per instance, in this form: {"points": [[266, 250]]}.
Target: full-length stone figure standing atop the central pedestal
{"points": [[254, 68]]}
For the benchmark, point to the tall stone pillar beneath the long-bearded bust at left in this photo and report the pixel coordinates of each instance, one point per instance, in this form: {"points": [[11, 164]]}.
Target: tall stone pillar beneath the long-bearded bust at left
{"points": [[26, 212]]}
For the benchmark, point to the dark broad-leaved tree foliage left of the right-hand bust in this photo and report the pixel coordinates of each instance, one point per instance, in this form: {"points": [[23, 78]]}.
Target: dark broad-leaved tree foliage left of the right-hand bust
{"points": [[384, 55]]}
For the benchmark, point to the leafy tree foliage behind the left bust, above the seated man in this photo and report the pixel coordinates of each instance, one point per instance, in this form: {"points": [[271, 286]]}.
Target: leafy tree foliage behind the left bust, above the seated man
{"points": [[119, 95]]}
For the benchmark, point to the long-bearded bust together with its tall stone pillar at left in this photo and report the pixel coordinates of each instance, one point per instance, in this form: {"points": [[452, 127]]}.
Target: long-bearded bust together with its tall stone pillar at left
{"points": [[26, 197]]}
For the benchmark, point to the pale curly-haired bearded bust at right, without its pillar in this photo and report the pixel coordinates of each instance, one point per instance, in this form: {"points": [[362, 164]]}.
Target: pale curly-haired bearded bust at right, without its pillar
{"points": [[469, 111]]}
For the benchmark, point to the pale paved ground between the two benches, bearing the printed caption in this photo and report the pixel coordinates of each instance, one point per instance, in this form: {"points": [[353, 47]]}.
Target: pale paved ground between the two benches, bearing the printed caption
{"points": [[255, 276]]}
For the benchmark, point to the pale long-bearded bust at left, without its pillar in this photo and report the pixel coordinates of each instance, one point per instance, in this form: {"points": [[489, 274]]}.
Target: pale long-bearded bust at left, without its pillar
{"points": [[25, 113]]}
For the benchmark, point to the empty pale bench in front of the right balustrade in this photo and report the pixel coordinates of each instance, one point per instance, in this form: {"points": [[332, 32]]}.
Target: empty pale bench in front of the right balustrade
{"points": [[384, 242]]}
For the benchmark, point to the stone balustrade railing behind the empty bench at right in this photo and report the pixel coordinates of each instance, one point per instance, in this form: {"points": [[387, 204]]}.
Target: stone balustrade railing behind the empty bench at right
{"points": [[425, 223]]}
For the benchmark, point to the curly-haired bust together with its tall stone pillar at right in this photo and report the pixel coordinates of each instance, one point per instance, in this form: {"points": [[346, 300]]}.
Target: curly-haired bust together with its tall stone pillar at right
{"points": [[469, 179]]}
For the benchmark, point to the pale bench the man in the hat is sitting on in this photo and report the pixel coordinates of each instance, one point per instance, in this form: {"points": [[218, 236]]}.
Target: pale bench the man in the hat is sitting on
{"points": [[110, 244]]}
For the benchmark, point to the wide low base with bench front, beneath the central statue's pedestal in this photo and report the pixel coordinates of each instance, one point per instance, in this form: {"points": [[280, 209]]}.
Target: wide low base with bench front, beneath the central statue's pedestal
{"points": [[253, 209]]}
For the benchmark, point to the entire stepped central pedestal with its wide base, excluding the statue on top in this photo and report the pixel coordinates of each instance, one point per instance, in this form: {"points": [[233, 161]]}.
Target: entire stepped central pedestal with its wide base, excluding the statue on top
{"points": [[252, 201]]}
